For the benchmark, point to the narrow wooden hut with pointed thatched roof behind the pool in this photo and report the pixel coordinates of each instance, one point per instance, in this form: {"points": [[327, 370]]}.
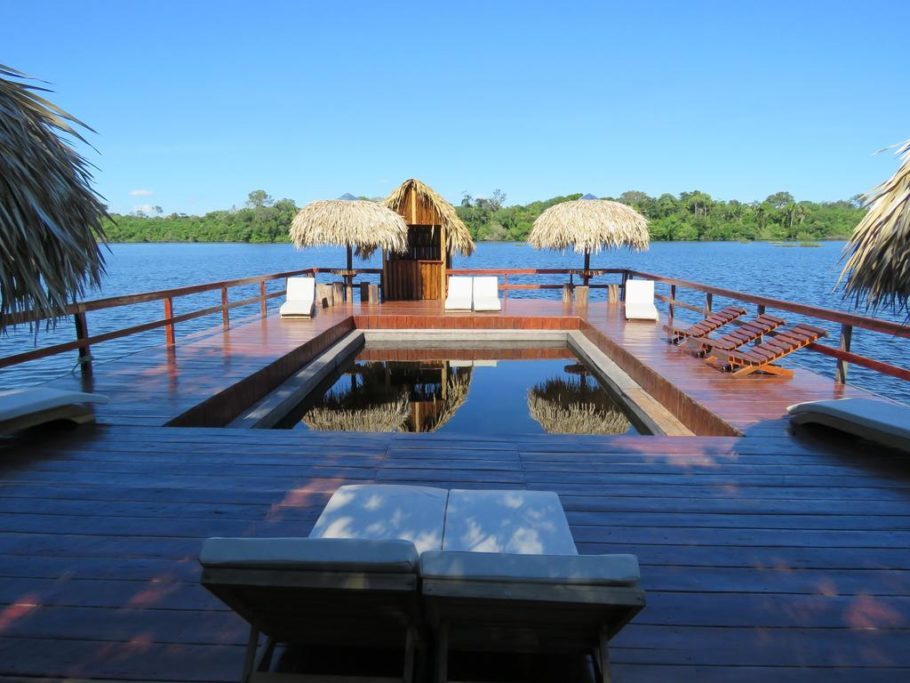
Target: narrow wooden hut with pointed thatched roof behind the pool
{"points": [[435, 232]]}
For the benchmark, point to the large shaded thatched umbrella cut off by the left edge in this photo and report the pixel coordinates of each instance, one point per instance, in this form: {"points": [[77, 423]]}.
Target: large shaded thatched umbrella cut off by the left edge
{"points": [[50, 218]]}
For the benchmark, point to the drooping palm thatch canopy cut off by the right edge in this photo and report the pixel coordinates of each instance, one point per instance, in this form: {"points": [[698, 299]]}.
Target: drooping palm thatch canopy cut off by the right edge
{"points": [[877, 271]]}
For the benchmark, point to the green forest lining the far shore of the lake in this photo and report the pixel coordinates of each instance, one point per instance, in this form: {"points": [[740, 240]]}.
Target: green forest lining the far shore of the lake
{"points": [[690, 216]]}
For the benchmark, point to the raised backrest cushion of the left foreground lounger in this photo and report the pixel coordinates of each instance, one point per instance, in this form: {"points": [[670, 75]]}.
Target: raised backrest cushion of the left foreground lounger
{"points": [[336, 554]]}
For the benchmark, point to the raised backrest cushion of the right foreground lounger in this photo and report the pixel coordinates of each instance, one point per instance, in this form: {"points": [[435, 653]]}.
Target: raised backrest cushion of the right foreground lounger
{"points": [[588, 570]]}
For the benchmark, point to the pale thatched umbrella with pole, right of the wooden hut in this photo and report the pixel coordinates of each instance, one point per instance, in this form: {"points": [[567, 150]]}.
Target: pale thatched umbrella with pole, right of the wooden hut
{"points": [[589, 225]]}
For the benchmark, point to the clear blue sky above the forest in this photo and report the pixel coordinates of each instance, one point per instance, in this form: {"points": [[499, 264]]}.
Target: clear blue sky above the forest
{"points": [[195, 104]]}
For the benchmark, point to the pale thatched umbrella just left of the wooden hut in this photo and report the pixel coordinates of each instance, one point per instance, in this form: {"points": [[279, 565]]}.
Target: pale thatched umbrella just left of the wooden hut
{"points": [[353, 223]]}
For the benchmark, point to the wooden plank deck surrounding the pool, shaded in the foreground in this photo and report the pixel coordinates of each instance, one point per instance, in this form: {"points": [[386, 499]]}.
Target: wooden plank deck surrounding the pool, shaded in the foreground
{"points": [[766, 557]]}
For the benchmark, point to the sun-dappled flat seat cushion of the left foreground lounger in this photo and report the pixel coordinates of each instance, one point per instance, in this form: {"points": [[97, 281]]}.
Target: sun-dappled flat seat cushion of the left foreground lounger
{"points": [[385, 511]]}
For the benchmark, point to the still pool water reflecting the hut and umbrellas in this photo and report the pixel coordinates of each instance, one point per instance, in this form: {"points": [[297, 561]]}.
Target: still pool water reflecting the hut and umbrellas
{"points": [[379, 391]]}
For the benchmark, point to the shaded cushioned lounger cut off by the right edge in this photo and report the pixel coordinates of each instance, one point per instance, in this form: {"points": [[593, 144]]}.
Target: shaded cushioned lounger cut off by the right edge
{"points": [[879, 421]]}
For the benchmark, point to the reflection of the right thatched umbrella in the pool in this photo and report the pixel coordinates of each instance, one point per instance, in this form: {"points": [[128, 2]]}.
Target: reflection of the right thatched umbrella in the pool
{"points": [[563, 406]]}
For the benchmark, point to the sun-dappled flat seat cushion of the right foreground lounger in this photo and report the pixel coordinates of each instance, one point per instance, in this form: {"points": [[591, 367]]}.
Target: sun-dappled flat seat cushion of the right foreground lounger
{"points": [[521, 522]]}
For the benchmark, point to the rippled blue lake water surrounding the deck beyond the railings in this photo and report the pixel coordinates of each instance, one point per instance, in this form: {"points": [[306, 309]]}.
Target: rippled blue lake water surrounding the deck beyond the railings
{"points": [[801, 274]]}
